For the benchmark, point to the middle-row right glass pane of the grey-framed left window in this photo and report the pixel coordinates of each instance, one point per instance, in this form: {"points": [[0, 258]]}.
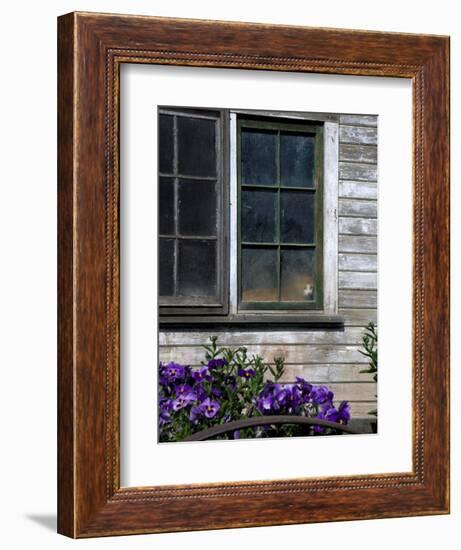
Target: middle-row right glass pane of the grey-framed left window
{"points": [[197, 207]]}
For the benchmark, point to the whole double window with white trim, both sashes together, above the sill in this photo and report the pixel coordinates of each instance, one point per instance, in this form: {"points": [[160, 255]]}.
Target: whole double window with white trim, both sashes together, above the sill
{"points": [[245, 202]]}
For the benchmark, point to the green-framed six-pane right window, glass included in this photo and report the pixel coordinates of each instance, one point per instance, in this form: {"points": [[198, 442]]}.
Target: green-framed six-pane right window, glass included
{"points": [[280, 221]]}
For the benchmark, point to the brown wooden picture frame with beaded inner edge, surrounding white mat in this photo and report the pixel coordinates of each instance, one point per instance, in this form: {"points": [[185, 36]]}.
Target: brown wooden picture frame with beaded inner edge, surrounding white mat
{"points": [[91, 49]]}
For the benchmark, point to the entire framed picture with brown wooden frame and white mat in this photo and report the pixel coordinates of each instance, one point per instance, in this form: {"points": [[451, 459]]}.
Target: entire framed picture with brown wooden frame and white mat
{"points": [[242, 209]]}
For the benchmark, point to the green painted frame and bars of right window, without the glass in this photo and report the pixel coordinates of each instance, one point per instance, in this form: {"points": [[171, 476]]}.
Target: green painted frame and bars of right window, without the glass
{"points": [[315, 129]]}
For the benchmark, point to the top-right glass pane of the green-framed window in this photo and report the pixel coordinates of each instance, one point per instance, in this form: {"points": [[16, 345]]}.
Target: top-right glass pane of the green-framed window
{"points": [[297, 160]]}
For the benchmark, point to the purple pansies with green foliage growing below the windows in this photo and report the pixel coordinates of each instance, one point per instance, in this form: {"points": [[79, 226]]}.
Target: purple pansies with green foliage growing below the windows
{"points": [[231, 385]]}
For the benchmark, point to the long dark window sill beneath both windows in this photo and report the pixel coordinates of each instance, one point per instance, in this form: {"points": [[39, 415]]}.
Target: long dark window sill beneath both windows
{"points": [[250, 322]]}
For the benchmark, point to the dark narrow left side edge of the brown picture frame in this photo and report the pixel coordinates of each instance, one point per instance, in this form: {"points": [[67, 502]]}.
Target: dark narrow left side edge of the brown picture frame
{"points": [[66, 294]]}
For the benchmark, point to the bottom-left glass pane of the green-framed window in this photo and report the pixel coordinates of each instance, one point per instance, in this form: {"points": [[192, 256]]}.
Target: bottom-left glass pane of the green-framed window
{"points": [[259, 274]]}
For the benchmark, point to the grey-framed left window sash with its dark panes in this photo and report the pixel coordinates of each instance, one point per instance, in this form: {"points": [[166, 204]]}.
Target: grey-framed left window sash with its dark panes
{"points": [[190, 196]]}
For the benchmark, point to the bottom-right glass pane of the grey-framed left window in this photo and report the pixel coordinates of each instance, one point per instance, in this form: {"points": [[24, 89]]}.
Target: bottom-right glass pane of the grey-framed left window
{"points": [[196, 268]]}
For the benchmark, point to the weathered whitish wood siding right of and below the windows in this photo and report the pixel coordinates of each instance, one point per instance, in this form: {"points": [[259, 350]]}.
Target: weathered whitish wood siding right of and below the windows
{"points": [[332, 356]]}
